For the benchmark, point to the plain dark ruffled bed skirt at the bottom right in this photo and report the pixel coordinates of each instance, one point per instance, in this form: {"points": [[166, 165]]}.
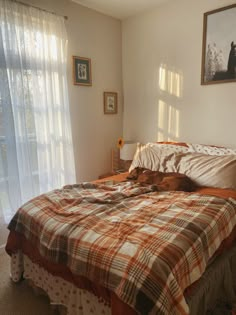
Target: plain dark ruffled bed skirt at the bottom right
{"points": [[216, 288]]}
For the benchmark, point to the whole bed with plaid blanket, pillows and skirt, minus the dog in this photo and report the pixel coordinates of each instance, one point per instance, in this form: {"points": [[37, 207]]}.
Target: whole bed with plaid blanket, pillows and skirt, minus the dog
{"points": [[118, 247]]}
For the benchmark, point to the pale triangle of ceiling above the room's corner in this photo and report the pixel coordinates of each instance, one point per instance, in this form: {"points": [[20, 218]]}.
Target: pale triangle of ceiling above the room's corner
{"points": [[120, 9]]}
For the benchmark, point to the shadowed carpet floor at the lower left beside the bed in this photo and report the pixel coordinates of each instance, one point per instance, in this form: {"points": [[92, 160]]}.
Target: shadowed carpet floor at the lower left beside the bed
{"points": [[19, 299]]}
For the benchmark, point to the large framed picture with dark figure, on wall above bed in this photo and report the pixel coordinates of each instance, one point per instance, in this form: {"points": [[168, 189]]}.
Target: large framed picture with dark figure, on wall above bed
{"points": [[219, 46]]}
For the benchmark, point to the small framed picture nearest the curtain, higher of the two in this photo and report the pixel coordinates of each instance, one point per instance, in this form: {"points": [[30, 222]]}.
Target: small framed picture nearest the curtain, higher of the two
{"points": [[82, 71]]}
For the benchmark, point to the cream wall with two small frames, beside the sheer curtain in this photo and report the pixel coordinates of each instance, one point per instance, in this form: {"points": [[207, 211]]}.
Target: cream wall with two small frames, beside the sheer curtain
{"points": [[96, 36]]}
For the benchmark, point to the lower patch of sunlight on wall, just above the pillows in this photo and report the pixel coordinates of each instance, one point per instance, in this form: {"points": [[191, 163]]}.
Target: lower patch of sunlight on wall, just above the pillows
{"points": [[168, 122]]}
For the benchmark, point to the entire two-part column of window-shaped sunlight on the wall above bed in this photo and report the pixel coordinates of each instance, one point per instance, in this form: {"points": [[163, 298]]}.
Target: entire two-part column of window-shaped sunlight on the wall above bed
{"points": [[168, 113]]}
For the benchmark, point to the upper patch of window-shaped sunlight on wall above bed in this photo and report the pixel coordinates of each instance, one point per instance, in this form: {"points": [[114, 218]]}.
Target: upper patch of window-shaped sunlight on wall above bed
{"points": [[170, 81]]}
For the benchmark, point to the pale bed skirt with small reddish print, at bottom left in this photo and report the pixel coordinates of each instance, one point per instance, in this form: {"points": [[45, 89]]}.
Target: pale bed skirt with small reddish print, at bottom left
{"points": [[64, 295]]}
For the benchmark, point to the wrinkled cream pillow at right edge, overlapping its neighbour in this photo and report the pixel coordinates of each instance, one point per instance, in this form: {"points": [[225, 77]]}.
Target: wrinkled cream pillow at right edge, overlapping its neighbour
{"points": [[208, 170]]}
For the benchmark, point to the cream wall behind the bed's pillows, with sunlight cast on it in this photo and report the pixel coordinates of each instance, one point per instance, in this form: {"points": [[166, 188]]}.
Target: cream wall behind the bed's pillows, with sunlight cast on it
{"points": [[168, 40]]}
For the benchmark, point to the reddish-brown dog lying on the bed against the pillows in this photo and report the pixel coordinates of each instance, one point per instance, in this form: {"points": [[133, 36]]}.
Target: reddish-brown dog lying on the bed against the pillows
{"points": [[162, 181]]}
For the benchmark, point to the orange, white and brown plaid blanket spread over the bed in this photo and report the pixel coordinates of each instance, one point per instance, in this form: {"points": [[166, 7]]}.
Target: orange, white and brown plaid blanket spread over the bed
{"points": [[145, 246]]}
